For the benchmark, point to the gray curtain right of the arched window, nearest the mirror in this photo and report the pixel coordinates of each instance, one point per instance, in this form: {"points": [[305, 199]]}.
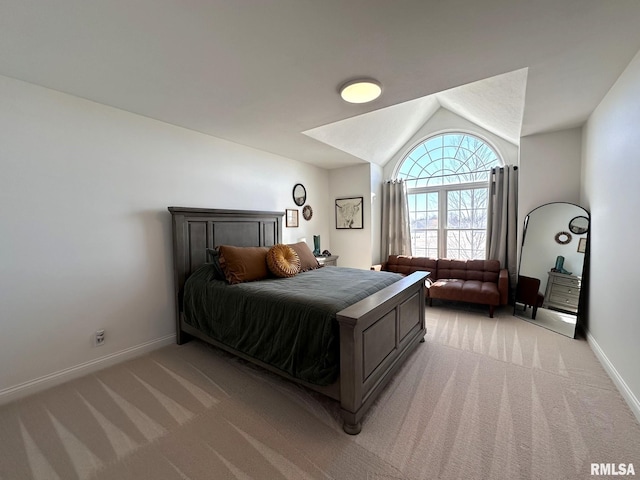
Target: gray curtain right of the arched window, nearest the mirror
{"points": [[502, 223]]}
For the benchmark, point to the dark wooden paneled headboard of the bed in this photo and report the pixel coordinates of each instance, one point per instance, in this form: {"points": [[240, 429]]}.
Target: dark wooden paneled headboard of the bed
{"points": [[196, 229]]}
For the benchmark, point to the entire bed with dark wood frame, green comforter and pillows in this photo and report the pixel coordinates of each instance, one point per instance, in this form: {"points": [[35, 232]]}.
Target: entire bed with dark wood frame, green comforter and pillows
{"points": [[369, 340]]}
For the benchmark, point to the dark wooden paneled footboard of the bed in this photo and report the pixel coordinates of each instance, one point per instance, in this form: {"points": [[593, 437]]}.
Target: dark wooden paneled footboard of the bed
{"points": [[376, 336]]}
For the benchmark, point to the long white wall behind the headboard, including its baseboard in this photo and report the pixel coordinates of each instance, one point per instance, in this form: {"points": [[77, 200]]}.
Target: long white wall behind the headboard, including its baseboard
{"points": [[86, 239]]}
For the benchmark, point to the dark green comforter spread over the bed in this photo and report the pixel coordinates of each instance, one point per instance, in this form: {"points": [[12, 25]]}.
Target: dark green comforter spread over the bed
{"points": [[289, 323]]}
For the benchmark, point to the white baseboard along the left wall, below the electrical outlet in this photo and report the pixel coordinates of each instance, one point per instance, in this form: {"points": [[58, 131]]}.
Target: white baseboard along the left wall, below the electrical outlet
{"points": [[33, 386]]}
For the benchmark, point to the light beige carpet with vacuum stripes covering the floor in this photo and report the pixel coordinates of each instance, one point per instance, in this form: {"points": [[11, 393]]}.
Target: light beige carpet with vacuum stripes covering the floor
{"points": [[481, 399]]}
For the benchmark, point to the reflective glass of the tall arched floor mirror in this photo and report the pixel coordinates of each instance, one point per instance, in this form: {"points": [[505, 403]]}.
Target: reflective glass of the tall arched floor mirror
{"points": [[550, 273]]}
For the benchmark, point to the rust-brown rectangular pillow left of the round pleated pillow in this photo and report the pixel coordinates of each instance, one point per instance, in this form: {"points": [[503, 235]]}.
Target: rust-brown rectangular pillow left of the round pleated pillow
{"points": [[243, 264]]}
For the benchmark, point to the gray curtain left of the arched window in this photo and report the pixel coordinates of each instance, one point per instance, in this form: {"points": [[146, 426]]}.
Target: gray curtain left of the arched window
{"points": [[396, 234]]}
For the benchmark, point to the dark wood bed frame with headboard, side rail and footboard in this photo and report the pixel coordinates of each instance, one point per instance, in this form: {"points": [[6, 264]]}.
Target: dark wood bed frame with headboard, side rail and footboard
{"points": [[377, 334]]}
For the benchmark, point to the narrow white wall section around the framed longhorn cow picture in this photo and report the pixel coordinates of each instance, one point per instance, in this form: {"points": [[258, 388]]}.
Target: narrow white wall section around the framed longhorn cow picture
{"points": [[353, 246]]}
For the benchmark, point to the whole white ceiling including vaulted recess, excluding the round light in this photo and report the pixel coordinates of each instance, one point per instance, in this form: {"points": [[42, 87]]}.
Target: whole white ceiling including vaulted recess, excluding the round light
{"points": [[266, 74]]}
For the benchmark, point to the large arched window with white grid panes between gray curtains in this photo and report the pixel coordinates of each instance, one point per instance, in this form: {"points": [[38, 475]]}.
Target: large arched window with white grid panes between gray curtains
{"points": [[447, 178]]}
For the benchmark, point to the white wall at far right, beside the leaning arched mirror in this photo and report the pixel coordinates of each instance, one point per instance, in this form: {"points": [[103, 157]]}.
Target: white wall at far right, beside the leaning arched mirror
{"points": [[611, 167]]}
